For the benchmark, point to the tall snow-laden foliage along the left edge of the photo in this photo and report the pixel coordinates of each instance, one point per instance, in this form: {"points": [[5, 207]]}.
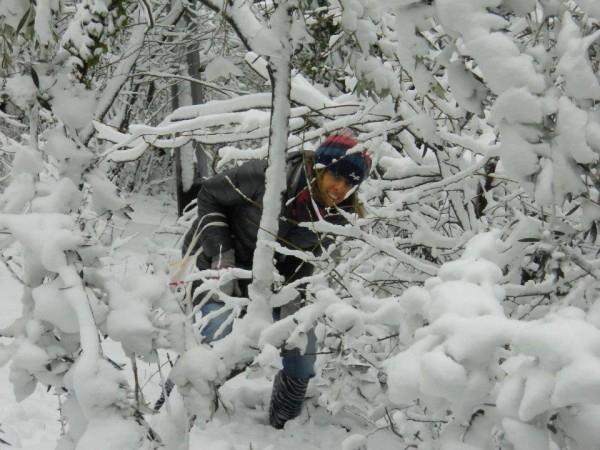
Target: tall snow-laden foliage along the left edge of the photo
{"points": [[57, 202]]}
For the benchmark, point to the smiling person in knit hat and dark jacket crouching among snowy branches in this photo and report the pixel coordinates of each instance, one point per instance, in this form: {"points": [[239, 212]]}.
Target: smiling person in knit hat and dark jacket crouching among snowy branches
{"points": [[225, 234]]}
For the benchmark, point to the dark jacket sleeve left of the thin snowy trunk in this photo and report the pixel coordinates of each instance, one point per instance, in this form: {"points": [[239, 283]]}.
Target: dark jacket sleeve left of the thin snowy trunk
{"points": [[217, 198]]}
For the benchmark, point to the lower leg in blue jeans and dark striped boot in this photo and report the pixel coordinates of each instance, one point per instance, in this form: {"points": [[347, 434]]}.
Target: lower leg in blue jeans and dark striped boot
{"points": [[291, 383]]}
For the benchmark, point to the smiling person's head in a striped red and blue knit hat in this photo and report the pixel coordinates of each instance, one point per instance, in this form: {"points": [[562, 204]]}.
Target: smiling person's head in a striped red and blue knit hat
{"points": [[339, 170]]}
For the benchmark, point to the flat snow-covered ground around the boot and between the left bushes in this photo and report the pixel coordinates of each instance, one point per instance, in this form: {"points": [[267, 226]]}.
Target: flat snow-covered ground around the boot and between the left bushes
{"points": [[33, 424]]}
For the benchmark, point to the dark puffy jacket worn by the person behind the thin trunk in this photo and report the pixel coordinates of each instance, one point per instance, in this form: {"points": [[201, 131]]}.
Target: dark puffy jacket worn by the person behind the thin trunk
{"points": [[230, 209]]}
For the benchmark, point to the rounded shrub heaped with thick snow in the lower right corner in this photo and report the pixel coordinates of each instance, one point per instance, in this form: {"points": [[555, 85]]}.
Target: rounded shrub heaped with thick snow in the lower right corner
{"points": [[487, 378]]}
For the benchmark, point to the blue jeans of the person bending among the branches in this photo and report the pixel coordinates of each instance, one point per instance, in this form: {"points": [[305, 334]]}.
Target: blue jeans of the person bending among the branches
{"points": [[294, 364]]}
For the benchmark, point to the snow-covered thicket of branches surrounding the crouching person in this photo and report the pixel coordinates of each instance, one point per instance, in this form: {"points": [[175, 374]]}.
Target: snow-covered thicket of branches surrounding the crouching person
{"points": [[460, 312]]}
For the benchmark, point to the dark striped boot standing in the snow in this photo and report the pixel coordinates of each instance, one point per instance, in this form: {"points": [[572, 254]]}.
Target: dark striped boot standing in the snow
{"points": [[286, 399]]}
